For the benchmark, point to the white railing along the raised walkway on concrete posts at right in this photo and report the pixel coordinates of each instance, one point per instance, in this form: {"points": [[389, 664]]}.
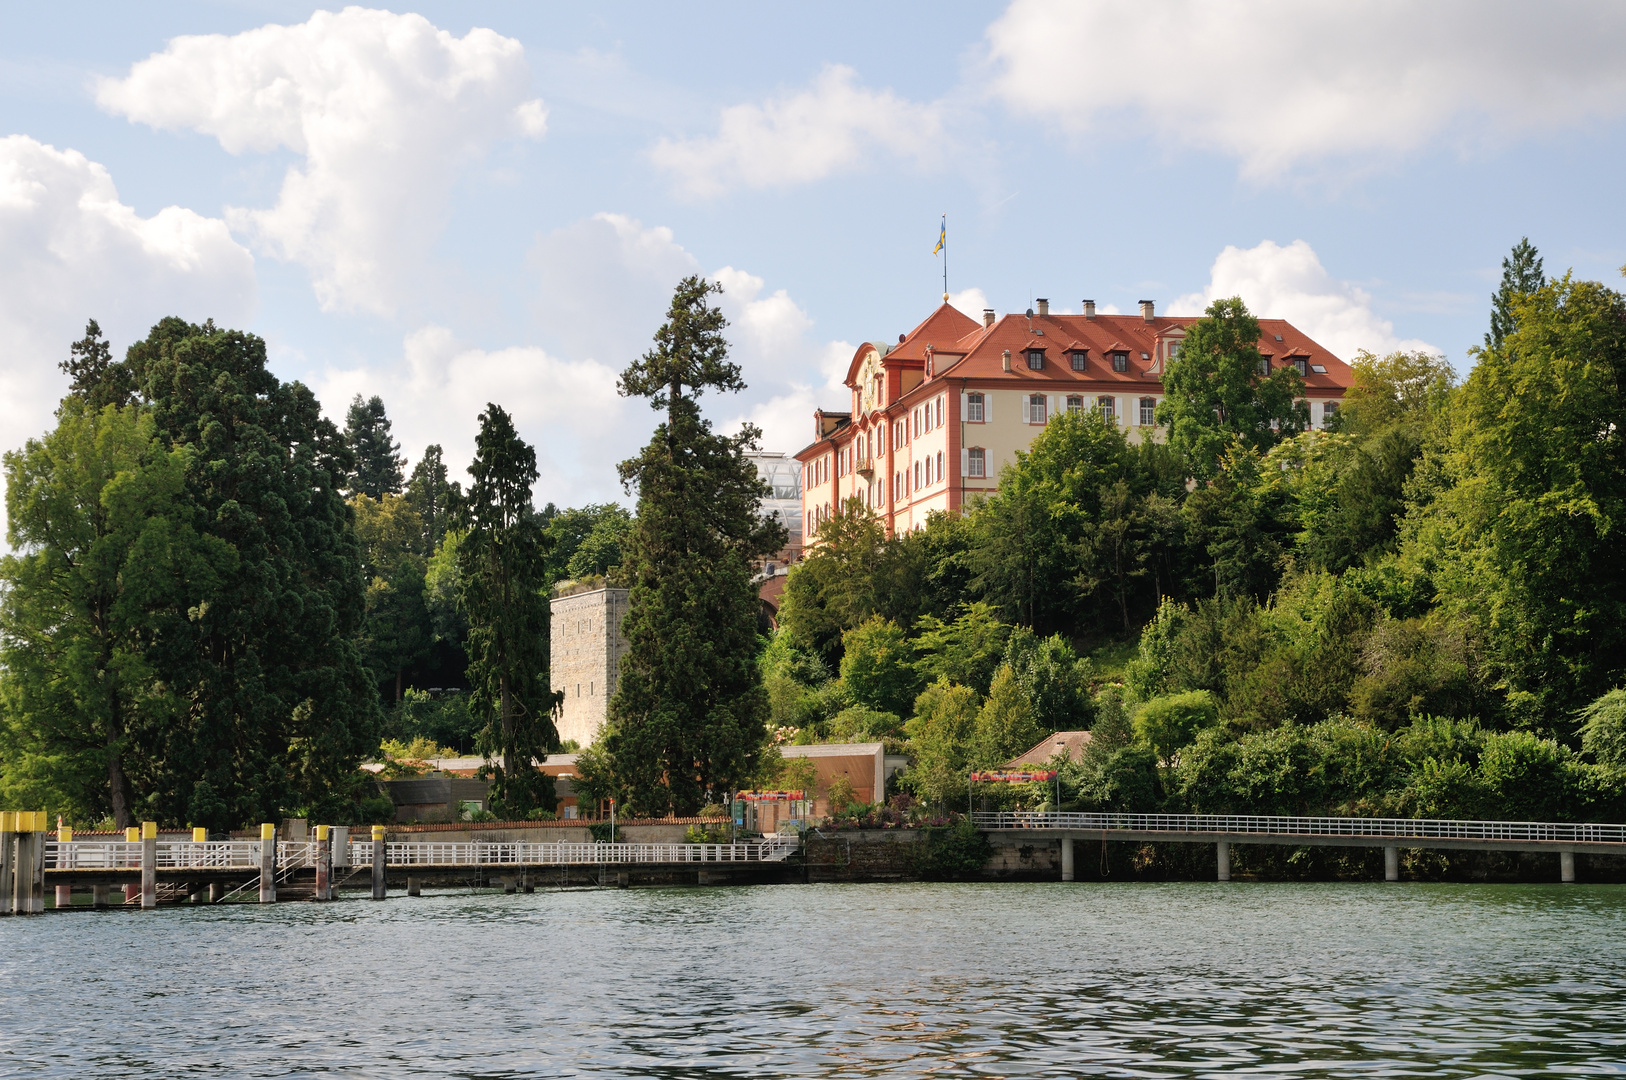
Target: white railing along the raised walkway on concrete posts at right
{"points": [[1266, 825]]}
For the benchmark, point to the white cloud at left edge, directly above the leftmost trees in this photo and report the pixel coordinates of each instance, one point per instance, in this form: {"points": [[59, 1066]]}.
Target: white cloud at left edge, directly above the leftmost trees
{"points": [[76, 253]]}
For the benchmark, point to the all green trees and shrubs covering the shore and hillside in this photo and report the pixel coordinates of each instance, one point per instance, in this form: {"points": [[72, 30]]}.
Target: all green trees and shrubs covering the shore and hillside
{"points": [[219, 604]]}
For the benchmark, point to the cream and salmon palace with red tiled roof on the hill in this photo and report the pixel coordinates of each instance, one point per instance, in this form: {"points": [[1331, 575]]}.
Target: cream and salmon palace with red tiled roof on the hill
{"points": [[937, 416]]}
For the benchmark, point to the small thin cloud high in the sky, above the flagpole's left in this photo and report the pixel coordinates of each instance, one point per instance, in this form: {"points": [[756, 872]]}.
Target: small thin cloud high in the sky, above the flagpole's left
{"points": [[802, 137]]}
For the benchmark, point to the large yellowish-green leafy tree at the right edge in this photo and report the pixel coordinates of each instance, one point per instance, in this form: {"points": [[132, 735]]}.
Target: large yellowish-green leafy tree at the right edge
{"points": [[1524, 533]]}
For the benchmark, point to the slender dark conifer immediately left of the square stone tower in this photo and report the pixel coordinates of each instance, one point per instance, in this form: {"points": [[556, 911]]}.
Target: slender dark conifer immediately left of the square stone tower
{"points": [[502, 564]]}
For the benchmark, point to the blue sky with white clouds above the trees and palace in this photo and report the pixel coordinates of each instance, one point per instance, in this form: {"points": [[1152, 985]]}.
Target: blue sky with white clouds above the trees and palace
{"points": [[464, 204]]}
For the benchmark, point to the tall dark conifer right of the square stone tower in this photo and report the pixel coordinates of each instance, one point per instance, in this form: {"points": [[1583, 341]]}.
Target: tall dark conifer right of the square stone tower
{"points": [[690, 715]]}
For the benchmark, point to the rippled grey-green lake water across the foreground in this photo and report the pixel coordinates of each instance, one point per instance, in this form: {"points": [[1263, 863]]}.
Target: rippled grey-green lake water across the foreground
{"points": [[1118, 980]]}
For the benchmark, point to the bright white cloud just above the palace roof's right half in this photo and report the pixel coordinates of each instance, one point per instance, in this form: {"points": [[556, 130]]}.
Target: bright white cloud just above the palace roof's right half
{"points": [[1290, 284]]}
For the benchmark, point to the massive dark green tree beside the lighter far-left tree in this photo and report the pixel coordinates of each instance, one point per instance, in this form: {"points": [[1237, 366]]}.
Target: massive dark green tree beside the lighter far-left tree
{"points": [[256, 640]]}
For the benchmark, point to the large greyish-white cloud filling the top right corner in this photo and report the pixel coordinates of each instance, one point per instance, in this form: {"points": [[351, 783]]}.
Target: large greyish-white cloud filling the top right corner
{"points": [[1280, 84]]}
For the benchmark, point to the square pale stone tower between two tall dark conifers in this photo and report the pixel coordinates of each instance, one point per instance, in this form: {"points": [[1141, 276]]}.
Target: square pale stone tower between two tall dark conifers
{"points": [[585, 660]]}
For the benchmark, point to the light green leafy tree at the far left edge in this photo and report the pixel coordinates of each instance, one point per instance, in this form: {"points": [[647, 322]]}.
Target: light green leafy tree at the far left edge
{"points": [[95, 529]]}
